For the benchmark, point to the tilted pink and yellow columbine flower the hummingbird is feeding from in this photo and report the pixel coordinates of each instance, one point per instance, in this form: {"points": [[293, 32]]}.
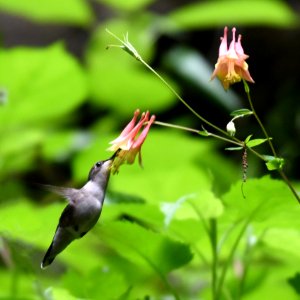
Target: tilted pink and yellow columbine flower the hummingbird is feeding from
{"points": [[129, 143]]}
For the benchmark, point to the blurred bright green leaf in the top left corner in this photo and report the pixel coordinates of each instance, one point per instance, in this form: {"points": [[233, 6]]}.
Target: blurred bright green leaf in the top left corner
{"points": [[76, 12]]}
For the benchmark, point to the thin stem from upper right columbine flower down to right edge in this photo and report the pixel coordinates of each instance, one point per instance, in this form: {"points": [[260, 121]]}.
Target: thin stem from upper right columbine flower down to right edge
{"points": [[282, 174]]}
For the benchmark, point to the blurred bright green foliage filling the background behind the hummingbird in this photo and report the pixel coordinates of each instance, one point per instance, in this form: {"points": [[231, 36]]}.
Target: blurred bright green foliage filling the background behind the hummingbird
{"points": [[160, 224]]}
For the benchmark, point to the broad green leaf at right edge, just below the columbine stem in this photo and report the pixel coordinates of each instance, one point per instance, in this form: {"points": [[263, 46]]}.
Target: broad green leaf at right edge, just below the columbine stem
{"points": [[271, 200]]}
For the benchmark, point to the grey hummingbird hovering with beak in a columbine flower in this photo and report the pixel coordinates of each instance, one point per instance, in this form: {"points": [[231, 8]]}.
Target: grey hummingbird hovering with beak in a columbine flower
{"points": [[83, 210]]}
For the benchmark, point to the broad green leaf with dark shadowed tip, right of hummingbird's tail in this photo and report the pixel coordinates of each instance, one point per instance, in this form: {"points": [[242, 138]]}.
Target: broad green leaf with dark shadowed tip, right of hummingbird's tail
{"points": [[145, 247]]}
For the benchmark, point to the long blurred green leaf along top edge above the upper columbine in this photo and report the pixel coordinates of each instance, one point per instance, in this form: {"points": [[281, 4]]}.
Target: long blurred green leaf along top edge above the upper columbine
{"points": [[218, 13]]}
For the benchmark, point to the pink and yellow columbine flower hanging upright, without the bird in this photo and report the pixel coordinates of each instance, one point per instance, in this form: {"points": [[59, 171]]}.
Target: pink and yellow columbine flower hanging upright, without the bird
{"points": [[231, 66]]}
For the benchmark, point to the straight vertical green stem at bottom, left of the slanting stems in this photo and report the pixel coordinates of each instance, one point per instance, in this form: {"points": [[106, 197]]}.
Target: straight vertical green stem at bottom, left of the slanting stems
{"points": [[213, 242]]}
